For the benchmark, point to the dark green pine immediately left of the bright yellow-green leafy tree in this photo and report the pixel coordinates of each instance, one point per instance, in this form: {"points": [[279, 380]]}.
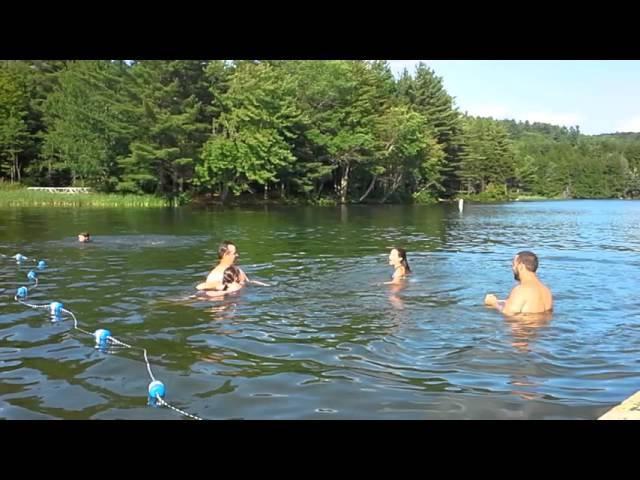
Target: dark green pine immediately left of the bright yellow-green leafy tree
{"points": [[174, 124]]}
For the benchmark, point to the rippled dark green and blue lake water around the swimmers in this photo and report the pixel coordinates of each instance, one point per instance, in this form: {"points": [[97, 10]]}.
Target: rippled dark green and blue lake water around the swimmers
{"points": [[326, 340]]}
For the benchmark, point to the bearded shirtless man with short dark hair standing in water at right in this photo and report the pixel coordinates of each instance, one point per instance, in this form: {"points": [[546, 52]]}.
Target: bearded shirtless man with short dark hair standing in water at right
{"points": [[530, 296]]}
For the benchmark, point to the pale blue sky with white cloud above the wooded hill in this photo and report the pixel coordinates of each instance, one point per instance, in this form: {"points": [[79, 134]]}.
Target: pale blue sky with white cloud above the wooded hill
{"points": [[601, 96]]}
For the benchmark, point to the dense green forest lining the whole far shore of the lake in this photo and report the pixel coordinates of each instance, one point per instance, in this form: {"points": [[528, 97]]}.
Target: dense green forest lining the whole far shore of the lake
{"points": [[294, 131]]}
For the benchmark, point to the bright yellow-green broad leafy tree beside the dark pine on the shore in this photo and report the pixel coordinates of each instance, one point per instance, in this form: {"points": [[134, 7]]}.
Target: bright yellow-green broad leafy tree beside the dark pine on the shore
{"points": [[251, 140]]}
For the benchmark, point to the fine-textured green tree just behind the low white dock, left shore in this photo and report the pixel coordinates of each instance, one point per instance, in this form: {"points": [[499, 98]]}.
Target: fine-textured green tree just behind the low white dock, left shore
{"points": [[89, 123]]}
